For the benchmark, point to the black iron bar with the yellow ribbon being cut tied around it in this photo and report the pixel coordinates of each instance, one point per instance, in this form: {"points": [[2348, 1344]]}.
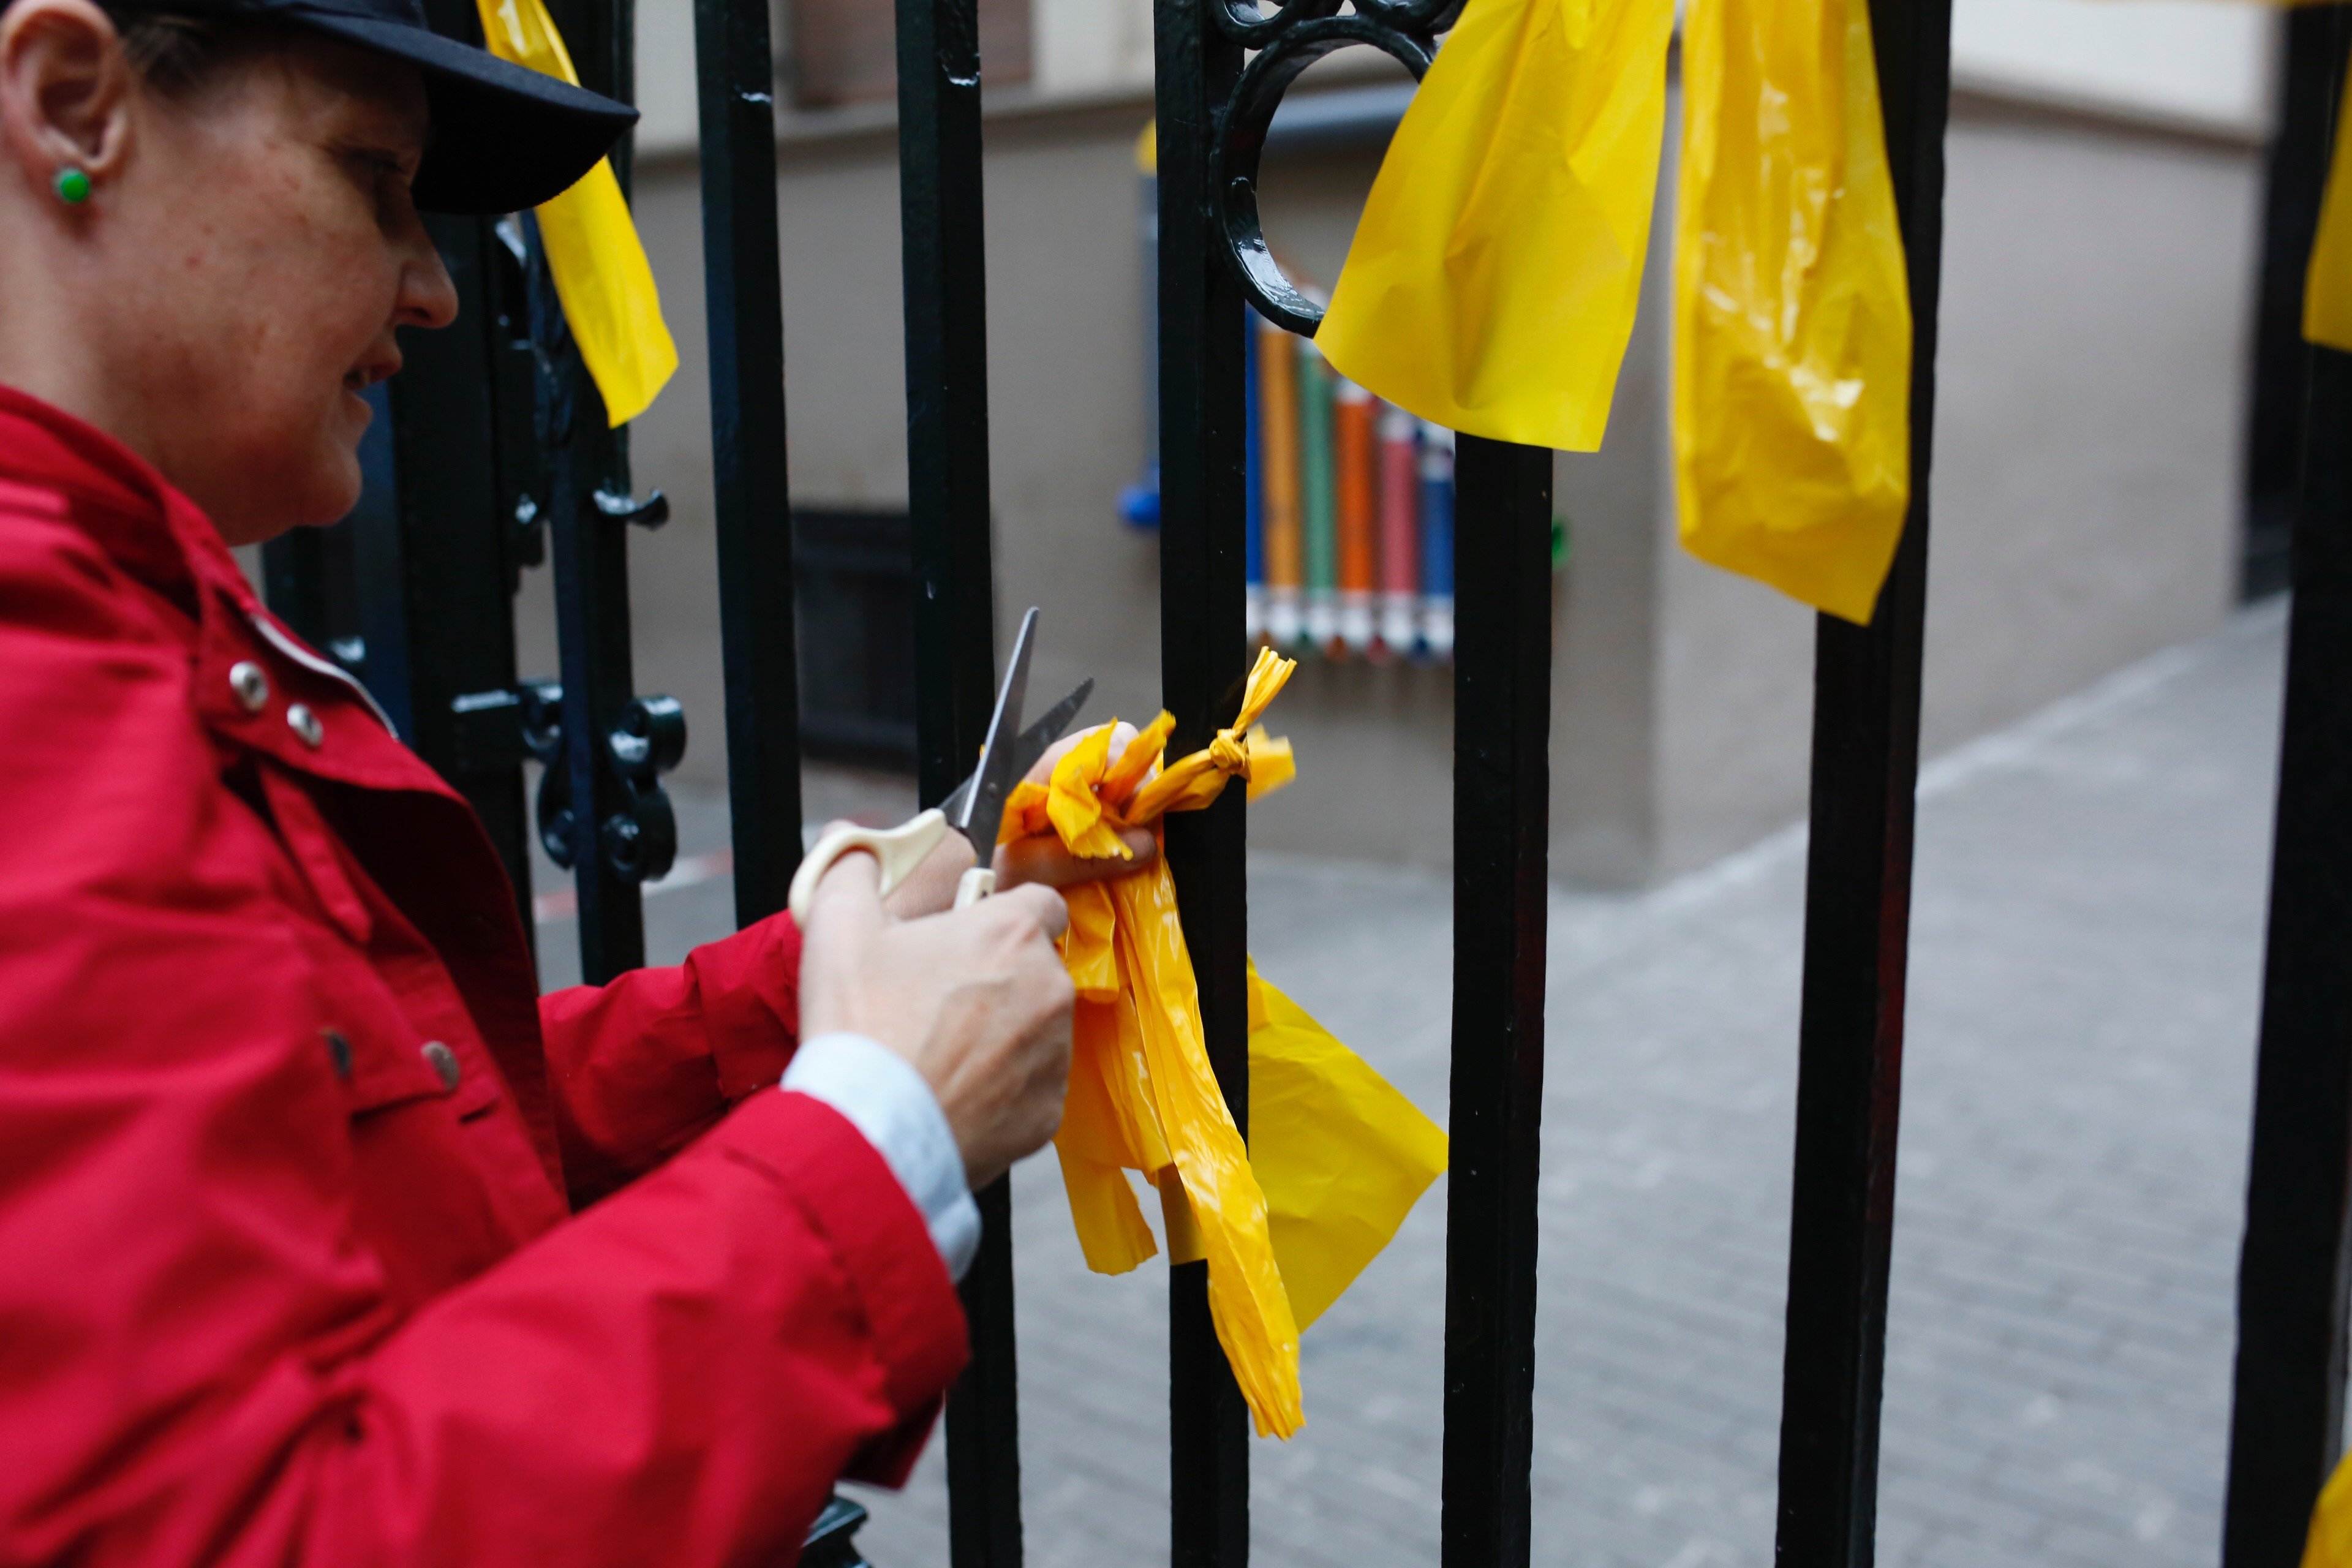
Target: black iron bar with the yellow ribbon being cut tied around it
{"points": [[1203, 659]]}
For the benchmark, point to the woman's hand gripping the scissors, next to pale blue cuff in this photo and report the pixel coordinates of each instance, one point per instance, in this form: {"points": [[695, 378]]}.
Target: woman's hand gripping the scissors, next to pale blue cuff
{"points": [[977, 1000]]}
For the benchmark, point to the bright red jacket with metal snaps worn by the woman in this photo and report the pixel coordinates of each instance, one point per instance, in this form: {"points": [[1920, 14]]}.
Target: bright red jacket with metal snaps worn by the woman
{"points": [[288, 1271]]}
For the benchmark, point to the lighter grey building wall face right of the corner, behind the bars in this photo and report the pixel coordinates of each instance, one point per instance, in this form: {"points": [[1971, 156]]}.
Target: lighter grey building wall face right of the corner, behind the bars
{"points": [[2090, 408]]}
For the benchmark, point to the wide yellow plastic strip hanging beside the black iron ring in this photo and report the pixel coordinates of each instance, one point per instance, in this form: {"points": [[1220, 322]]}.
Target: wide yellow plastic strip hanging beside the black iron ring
{"points": [[1495, 274]]}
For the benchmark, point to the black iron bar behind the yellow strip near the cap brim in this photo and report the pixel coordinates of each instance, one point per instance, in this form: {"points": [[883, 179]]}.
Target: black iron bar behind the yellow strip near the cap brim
{"points": [[592, 568]]}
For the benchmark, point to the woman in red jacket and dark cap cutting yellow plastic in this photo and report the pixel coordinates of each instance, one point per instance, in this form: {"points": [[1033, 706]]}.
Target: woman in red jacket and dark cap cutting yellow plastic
{"points": [[288, 1144]]}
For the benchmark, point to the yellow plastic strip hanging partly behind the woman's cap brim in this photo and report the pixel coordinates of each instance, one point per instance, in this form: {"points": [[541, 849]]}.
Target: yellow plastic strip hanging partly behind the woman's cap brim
{"points": [[594, 253]]}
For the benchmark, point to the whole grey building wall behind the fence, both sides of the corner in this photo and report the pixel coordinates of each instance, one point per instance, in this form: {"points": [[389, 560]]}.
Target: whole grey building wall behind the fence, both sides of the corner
{"points": [[2087, 434]]}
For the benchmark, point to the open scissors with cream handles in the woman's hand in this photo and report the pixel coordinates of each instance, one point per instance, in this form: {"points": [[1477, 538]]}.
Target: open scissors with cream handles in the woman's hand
{"points": [[977, 805]]}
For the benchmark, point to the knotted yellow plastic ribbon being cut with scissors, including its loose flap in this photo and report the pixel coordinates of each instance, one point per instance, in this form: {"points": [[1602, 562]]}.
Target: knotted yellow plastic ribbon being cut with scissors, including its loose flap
{"points": [[1342, 1153]]}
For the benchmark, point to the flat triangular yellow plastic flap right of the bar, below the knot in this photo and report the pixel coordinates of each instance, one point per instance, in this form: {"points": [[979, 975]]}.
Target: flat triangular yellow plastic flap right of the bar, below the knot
{"points": [[1339, 1153]]}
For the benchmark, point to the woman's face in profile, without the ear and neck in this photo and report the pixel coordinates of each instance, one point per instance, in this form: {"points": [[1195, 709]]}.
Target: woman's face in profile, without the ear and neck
{"points": [[274, 208]]}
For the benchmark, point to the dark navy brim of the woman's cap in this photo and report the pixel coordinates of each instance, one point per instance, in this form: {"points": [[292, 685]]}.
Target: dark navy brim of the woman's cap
{"points": [[505, 138]]}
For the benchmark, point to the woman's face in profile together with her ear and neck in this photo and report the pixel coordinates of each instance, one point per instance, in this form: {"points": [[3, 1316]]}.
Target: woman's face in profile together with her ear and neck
{"points": [[234, 281]]}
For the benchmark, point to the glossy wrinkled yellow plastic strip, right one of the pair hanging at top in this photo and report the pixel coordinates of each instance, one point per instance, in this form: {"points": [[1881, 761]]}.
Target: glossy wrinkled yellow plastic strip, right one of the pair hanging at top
{"points": [[1791, 307]]}
